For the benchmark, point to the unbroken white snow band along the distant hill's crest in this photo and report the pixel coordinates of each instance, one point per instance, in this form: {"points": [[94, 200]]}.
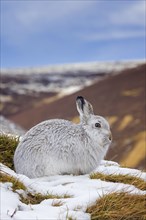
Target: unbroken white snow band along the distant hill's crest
{"points": [[76, 68]]}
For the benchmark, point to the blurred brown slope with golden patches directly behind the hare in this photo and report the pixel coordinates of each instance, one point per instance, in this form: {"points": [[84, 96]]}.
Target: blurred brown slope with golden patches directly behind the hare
{"points": [[120, 97]]}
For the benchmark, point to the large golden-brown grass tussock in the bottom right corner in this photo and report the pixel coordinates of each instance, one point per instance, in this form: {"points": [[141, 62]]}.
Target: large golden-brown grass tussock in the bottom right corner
{"points": [[119, 206]]}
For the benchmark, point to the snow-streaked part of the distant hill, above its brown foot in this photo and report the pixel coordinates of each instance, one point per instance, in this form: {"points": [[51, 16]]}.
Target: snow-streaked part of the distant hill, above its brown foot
{"points": [[57, 78]]}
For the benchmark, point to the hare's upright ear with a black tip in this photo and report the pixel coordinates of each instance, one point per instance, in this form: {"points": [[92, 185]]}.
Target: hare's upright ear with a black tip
{"points": [[84, 108]]}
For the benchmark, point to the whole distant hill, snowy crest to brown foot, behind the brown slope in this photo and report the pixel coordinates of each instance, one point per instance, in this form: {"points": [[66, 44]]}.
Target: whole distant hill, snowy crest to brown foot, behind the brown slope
{"points": [[37, 85]]}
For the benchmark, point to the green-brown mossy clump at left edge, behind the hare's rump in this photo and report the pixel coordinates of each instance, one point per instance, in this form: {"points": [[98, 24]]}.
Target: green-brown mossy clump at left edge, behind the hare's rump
{"points": [[8, 145]]}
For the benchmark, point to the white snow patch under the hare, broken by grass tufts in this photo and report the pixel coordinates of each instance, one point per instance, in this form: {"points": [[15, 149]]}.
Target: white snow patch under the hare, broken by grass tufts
{"points": [[83, 191]]}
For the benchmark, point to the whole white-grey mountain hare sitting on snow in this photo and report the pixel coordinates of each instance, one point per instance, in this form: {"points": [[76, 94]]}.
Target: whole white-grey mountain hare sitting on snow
{"points": [[59, 146]]}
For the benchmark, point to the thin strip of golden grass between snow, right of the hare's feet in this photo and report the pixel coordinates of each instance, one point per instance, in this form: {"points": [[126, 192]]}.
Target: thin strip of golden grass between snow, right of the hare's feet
{"points": [[126, 179]]}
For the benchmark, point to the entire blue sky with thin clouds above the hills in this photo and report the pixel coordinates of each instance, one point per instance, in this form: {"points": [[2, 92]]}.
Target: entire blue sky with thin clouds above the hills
{"points": [[37, 33]]}
